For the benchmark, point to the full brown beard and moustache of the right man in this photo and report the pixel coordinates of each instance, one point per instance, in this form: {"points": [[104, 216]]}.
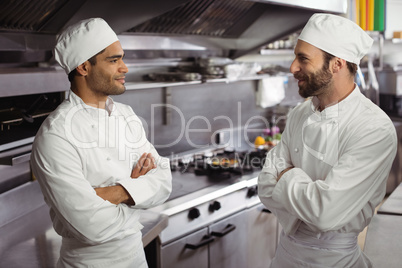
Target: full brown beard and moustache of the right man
{"points": [[315, 83]]}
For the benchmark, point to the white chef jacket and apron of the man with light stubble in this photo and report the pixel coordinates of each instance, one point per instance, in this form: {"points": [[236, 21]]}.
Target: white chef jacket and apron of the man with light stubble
{"points": [[79, 148]]}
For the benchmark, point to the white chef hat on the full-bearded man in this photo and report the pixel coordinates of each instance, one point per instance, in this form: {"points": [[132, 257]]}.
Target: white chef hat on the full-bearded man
{"points": [[338, 36]]}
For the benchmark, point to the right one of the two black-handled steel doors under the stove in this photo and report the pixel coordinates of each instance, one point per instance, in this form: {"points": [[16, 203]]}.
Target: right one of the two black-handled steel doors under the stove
{"points": [[229, 249]]}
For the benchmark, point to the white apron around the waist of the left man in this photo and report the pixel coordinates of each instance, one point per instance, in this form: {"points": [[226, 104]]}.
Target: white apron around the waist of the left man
{"points": [[125, 253]]}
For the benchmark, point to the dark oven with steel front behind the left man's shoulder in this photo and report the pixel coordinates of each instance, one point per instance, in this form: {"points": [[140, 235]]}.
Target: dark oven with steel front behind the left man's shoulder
{"points": [[20, 119]]}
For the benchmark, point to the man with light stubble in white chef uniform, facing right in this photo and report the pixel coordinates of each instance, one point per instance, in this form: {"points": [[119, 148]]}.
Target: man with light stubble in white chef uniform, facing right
{"points": [[94, 164]]}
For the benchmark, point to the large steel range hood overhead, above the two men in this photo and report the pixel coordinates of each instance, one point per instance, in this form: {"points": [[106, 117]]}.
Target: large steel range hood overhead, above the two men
{"points": [[158, 28]]}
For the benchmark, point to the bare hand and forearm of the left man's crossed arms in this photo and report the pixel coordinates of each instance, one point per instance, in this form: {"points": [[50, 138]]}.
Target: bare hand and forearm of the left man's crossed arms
{"points": [[118, 194]]}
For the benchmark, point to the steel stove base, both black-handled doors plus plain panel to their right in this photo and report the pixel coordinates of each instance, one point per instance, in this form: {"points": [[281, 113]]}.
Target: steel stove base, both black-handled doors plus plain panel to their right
{"points": [[245, 239]]}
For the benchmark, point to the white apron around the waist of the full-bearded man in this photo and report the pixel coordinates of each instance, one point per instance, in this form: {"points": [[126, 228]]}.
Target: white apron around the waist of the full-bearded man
{"points": [[319, 250]]}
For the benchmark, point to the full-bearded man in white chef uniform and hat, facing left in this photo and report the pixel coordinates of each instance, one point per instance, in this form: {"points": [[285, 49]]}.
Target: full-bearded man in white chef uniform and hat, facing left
{"points": [[325, 178]]}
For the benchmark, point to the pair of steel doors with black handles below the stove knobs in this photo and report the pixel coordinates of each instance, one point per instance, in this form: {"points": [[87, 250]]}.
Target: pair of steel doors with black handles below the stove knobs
{"points": [[221, 245]]}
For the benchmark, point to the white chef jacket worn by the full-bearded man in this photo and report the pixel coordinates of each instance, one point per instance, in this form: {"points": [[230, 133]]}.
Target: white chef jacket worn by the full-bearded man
{"points": [[341, 157]]}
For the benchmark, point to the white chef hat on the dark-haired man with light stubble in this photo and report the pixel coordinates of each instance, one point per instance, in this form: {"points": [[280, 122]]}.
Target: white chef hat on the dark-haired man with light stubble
{"points": [[79, 42]]}
